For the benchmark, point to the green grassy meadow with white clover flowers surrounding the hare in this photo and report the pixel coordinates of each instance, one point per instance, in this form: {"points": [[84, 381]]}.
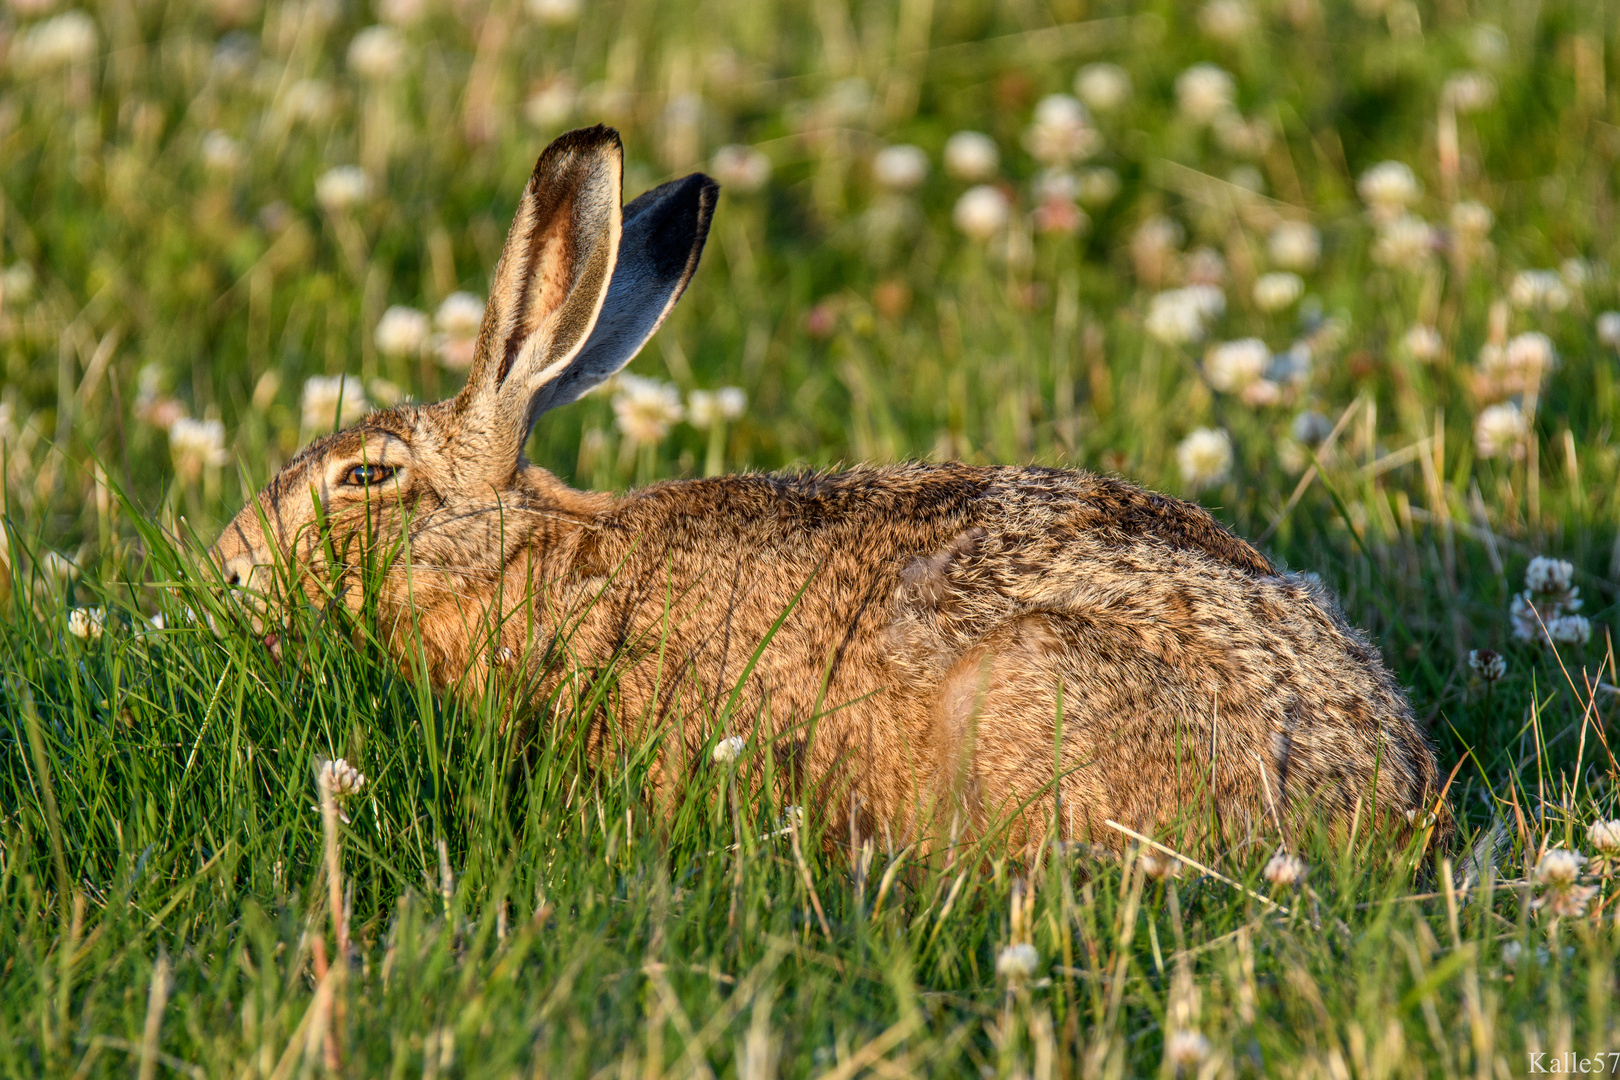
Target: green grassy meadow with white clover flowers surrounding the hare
{"points": [[1341, 270]]}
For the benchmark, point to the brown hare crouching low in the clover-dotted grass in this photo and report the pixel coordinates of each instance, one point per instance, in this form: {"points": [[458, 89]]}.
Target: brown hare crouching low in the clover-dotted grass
{"points": [[961, 647]]}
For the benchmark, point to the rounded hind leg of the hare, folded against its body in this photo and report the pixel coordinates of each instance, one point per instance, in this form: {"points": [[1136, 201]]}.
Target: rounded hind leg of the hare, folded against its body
{"points": [[1055, 725]]}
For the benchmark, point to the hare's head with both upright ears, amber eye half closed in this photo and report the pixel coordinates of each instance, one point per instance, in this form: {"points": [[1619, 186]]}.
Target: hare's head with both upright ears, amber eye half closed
{"points": [[443, 490]]}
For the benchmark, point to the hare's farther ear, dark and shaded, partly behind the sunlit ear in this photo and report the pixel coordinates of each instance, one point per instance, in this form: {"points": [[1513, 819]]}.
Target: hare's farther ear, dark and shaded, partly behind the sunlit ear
{"points": [[663, 237]]}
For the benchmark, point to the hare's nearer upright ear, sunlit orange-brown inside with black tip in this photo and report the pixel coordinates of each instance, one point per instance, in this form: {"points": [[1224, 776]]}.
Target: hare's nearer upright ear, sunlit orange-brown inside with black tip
{"points": [[547, 296]]}
